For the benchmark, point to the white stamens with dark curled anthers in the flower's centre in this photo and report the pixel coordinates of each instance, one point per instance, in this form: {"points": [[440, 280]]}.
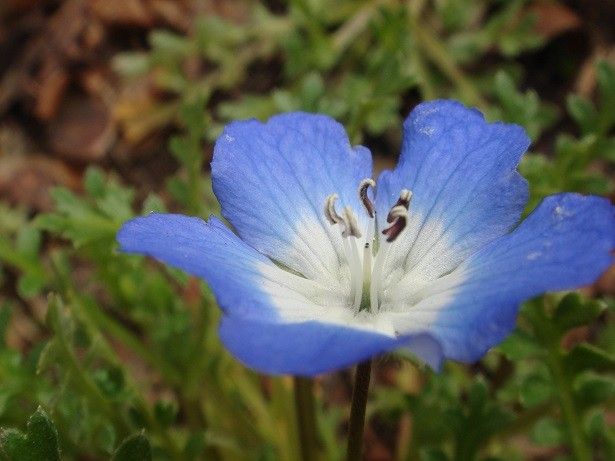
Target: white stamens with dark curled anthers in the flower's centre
{"points": [[366, 271]]}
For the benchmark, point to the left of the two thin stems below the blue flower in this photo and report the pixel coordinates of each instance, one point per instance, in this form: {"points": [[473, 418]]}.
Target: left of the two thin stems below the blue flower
{"points": [[306, 418]]}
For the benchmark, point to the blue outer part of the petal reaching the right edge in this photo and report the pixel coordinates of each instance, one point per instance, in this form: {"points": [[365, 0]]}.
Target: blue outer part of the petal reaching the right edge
{"points": [[565, 243]]}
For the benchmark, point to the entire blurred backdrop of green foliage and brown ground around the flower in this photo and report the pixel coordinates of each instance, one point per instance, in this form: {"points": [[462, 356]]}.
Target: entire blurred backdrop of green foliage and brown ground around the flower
{"points": [[109, 108]]}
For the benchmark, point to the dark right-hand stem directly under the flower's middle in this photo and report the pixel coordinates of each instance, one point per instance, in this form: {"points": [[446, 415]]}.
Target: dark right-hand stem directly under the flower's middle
{"points": [[357, 411]]}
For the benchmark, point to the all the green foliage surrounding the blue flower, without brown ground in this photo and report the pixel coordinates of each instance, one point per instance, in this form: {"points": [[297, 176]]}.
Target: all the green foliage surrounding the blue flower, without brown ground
{"points": [[129, 365]]}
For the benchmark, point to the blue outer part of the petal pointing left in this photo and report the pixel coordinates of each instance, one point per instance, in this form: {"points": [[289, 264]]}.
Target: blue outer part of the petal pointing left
{"points": [[208, 250]]}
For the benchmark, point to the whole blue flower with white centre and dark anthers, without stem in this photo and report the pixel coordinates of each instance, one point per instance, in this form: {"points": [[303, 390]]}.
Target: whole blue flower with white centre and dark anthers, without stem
{"points": [[329, 267]]}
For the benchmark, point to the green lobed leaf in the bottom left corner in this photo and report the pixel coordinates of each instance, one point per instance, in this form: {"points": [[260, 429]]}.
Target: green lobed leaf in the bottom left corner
{"points": [[40, 443]]}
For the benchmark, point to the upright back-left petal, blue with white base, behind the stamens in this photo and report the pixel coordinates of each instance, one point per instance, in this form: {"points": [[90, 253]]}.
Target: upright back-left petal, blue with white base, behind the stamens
{"points": [[272, 180]]}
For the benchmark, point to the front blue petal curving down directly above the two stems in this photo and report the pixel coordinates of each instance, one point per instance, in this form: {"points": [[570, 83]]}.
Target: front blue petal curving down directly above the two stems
{"points": [[310, 348]]}
